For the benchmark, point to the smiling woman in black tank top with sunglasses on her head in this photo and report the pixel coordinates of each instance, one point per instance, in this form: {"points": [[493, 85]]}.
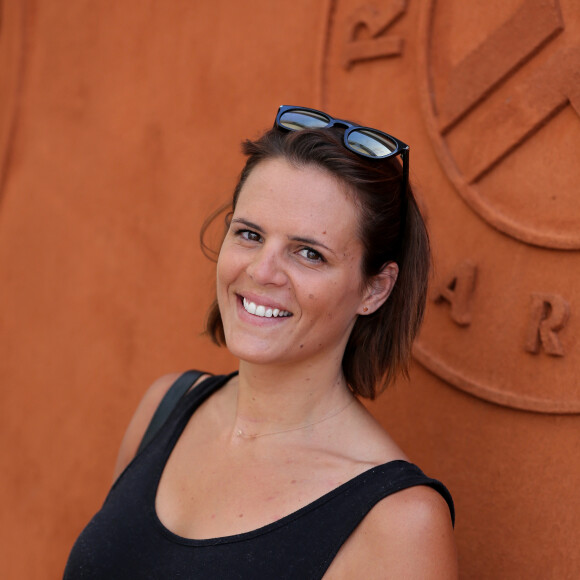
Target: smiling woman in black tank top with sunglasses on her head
{"points": [[278, 471]]}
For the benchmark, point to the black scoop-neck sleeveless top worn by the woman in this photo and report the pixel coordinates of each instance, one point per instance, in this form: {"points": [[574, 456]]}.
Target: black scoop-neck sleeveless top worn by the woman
{"points": [[126, 539]]}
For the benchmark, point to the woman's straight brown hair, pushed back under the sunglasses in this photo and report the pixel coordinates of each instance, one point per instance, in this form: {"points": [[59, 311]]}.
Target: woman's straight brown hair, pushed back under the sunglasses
{"points": [[391, 229]]}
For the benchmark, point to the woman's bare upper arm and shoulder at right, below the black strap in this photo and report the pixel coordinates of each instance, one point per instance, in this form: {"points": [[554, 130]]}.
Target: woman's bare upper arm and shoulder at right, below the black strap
{"points": [[407, 535]]}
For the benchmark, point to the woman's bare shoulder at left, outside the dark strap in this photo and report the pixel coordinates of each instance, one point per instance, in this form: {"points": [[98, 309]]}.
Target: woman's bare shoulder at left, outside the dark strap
{"points": [[141, 419]]}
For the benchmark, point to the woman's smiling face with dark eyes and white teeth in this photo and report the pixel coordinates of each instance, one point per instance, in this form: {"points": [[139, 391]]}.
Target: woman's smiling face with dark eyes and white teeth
{"points": [[289, 270]]}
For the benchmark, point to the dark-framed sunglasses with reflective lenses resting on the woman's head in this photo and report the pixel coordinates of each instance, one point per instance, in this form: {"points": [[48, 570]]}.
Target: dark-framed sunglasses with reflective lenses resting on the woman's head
{"points": [[363, 141]]}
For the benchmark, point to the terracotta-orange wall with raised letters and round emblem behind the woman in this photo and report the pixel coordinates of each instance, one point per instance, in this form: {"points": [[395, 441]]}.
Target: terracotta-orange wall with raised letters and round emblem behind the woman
{"points": [[120, 125]]}
